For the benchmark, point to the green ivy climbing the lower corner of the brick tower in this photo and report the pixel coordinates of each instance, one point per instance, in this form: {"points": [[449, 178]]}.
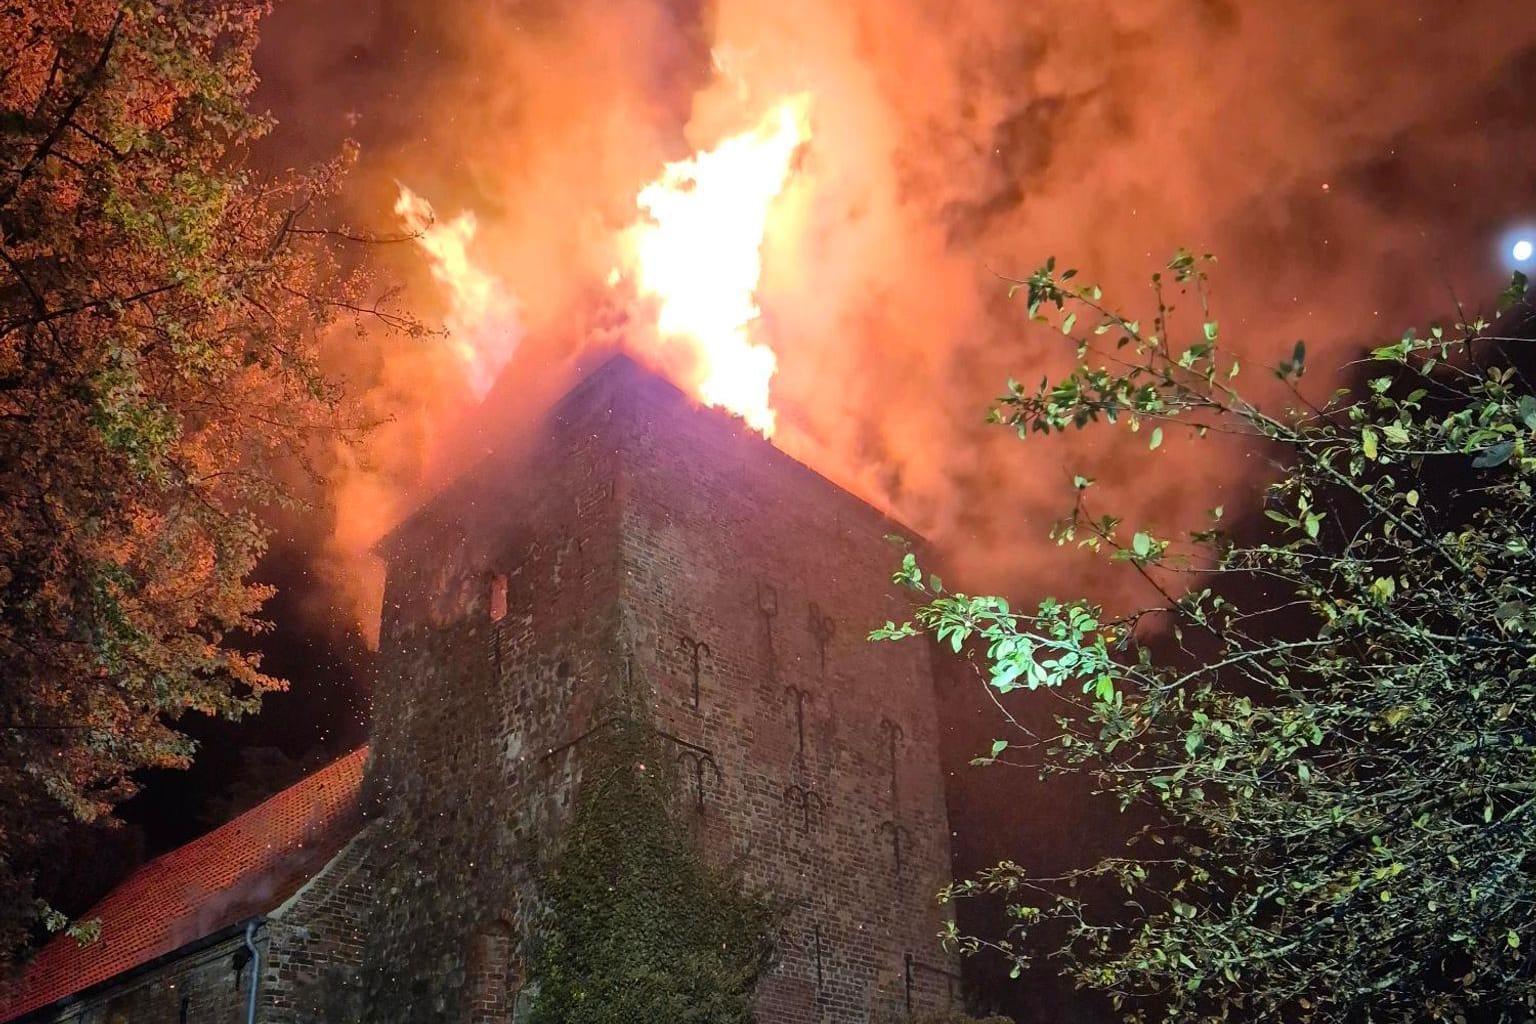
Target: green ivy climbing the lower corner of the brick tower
{"points": [[638, 928]]}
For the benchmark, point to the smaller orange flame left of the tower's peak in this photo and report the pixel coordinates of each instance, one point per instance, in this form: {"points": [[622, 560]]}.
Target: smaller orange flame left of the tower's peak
{"points": [[483, 315]]}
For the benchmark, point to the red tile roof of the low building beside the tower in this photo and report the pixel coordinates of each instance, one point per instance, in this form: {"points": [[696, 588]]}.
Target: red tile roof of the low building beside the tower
{"points": [[237, 871]]}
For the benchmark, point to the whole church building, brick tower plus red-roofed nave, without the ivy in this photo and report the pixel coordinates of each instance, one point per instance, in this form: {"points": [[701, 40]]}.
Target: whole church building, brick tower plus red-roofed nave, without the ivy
{"points": [[638, 561]]}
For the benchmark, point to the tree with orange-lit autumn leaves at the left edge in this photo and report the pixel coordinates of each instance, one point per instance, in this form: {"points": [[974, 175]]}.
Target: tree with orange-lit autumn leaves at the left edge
{"points": [[161, 317]]}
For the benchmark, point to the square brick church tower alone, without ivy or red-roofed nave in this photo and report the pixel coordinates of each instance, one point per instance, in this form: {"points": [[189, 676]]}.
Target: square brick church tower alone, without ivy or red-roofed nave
{"points": [[647, 558]]}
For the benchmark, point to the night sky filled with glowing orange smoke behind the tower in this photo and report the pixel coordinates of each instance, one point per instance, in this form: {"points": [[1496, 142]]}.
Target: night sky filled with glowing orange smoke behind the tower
{"points": [[1354, 165]]}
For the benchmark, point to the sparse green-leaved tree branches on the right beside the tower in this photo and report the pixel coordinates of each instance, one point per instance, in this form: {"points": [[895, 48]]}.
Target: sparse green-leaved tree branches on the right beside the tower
{"points": [[1336, 739]]}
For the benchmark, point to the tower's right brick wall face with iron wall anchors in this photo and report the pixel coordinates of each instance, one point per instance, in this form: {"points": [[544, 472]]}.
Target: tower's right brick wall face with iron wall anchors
{"points": [[750, 586]]}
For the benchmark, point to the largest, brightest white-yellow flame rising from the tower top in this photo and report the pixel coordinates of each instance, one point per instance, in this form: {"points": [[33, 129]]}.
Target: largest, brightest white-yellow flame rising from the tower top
{"points": [[698, 254]]}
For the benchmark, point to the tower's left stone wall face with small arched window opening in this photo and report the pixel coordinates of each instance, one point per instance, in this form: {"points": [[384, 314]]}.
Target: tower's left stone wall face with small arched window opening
{"points": [[497, 646]]}
